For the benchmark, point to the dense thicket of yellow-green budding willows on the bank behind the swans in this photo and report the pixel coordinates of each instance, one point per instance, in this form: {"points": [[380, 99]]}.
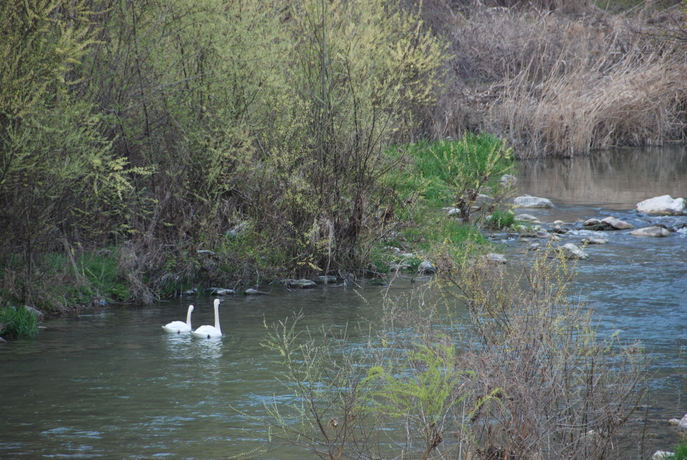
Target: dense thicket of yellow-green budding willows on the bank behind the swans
{"points": [[164, 124]]}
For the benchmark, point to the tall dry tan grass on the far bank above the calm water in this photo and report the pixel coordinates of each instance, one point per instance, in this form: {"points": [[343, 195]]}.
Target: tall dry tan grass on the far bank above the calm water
{"points": [[561, 84]]}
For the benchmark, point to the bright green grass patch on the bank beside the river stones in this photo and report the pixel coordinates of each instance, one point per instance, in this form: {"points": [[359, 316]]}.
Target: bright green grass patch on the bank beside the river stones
{"points": [[432, 175]]}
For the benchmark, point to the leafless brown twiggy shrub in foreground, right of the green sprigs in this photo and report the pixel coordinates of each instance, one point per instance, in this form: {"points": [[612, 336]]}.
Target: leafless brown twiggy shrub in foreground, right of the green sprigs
{"points": [[541, 383]]}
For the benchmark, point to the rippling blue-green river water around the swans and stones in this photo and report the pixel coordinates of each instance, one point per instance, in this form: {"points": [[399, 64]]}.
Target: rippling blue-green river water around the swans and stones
{"points": [[113, 385]]}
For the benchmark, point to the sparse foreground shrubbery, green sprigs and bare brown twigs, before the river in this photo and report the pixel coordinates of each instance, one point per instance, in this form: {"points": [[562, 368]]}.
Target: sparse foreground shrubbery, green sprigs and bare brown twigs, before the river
{"points": [[526, 377]]}
